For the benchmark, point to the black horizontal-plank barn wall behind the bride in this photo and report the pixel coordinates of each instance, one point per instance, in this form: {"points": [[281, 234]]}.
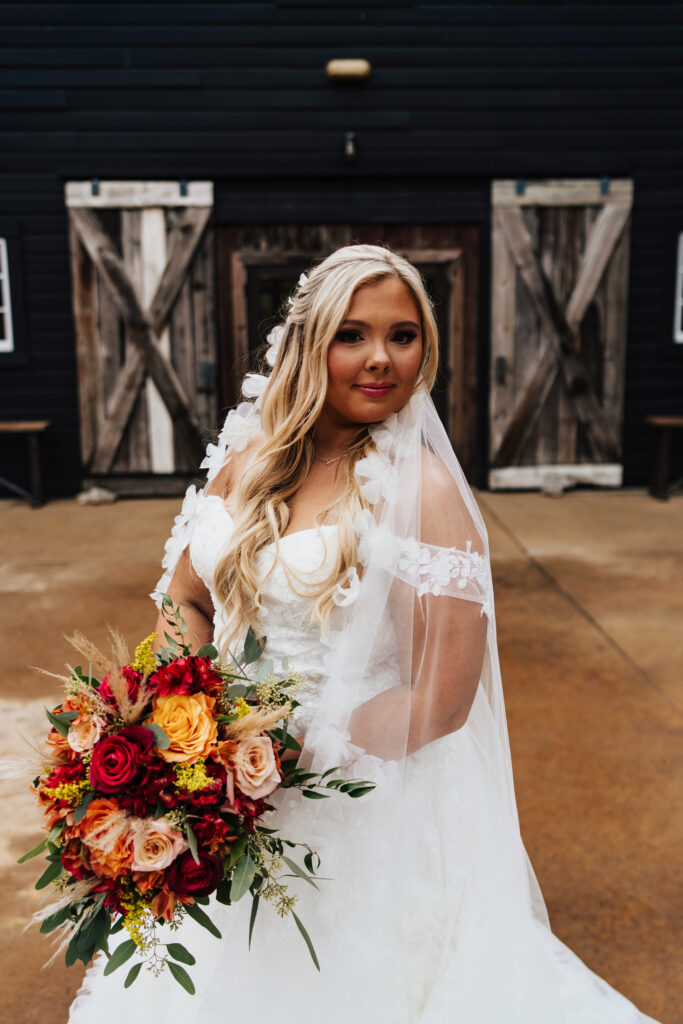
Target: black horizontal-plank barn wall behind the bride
{"points": [[237, 94]]}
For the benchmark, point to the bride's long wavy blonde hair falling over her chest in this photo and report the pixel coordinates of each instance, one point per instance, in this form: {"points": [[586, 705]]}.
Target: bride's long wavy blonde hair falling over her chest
{"points": [[291, 406]]}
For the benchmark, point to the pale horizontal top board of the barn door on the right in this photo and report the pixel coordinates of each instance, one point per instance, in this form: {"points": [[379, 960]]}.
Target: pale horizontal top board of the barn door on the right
{"points": [[564, 192]]}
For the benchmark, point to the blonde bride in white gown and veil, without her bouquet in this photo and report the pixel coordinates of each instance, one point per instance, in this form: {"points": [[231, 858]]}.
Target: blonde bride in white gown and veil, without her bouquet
{"points": [[337, 523]]}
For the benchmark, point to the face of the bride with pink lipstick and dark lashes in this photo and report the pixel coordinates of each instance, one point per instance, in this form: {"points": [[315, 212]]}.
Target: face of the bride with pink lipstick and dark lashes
{"points": [[373, 363]]}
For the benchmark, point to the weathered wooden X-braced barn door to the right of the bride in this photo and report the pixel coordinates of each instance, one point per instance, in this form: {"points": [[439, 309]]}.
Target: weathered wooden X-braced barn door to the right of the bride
{"points": [[560, 291]]}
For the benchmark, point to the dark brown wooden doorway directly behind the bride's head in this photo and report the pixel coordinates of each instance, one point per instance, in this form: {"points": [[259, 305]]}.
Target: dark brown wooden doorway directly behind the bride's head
{"points": [[264, 264]]}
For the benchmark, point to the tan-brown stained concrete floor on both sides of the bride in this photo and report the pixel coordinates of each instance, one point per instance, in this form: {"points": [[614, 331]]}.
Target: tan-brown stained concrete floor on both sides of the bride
{"points": [[590, 611]]}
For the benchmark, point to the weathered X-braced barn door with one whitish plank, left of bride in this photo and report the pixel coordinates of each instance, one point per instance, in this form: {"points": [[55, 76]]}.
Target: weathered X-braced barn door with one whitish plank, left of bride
{"points": [[144, 291]]}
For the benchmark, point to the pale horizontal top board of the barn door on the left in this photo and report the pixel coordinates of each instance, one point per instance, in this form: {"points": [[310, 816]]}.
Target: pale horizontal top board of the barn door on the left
{"points": [[138, 194]]}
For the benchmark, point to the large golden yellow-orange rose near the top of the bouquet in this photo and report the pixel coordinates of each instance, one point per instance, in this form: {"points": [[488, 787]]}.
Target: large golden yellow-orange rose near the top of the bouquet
{"points": [[188, 721]]}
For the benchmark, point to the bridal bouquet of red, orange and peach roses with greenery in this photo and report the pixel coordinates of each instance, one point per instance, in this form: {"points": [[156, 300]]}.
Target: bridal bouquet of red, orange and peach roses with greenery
{"points": [[154, 791]]}
